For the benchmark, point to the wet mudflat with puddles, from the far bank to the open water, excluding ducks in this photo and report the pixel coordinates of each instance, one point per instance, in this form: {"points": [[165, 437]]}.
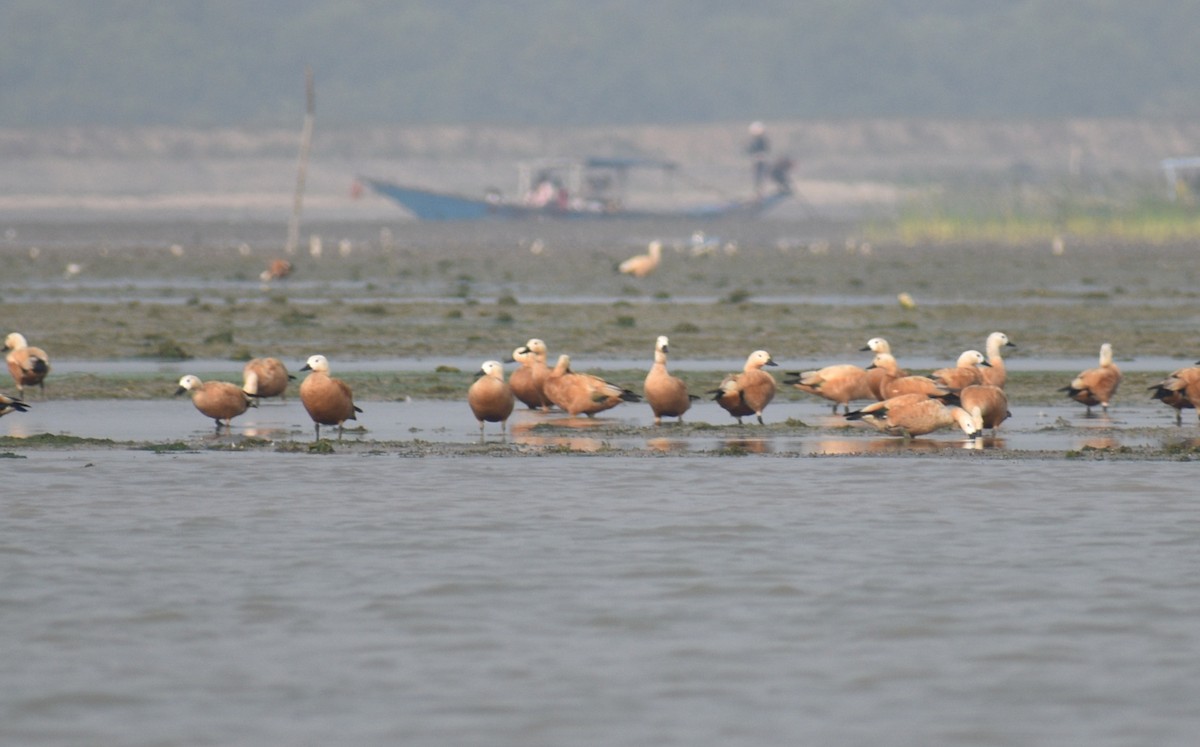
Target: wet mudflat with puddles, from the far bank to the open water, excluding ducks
{"points": [[406, 313]]}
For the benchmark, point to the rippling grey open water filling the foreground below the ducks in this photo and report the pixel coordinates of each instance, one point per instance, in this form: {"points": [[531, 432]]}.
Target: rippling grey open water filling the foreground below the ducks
{"points": [[262, 599]]}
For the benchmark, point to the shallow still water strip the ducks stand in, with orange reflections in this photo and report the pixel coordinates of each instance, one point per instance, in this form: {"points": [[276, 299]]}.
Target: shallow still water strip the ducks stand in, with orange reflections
{"points": [[627, 428]]}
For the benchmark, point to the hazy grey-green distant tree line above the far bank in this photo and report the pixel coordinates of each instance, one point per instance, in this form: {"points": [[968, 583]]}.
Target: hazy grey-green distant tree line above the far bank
{"points": [[209, 63]]}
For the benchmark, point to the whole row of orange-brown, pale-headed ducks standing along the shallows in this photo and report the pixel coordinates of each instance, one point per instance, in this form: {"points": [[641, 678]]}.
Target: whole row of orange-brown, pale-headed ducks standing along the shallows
{"points": [[969, 396]]}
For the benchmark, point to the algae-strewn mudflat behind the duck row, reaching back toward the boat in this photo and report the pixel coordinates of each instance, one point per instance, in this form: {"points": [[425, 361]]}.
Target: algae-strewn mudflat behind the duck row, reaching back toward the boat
{"points": [[807, 301]]}
